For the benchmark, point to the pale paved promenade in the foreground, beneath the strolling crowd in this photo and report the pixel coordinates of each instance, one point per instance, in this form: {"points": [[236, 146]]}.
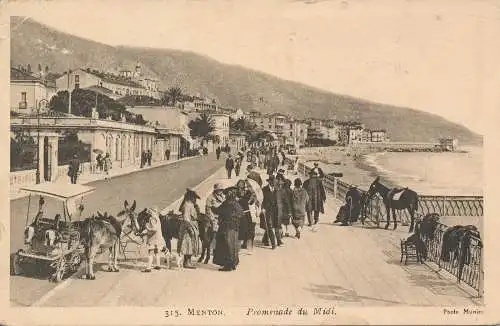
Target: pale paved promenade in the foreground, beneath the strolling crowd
{"points": [[331, 265]]}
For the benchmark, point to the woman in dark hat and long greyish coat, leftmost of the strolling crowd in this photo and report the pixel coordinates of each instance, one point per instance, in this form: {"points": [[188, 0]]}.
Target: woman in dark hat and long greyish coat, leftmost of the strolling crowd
{"points": [[188, 231]]}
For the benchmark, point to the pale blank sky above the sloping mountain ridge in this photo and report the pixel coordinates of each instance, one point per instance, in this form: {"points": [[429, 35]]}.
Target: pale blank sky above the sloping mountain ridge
{"points": [[435, 56]]}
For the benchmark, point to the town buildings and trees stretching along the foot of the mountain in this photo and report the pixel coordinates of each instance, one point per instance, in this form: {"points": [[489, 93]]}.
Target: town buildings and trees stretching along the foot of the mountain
{"points": [[124, 114]]}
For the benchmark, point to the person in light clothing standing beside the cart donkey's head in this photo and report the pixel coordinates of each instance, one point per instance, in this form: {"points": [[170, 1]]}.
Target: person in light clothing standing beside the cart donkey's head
{"points": [[154, 239]]}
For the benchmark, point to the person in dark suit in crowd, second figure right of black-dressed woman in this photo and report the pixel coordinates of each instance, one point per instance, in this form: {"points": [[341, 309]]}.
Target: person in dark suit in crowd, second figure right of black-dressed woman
{"points": [[269, 215]]}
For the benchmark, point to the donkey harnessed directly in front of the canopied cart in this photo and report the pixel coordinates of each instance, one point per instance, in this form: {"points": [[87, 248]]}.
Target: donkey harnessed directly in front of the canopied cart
{"points": [[101, 231]]}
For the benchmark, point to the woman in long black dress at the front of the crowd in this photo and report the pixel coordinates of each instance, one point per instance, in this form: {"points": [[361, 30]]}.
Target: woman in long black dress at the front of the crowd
{"points": [[227, 247]]}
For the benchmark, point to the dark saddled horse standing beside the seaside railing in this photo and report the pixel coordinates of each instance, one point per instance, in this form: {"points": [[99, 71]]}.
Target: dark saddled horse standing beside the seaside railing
{"points": [[408, 199]]}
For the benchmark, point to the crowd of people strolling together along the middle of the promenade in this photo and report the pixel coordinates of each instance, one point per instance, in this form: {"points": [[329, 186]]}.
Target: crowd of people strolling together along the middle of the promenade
{"points": [[234, 213]]}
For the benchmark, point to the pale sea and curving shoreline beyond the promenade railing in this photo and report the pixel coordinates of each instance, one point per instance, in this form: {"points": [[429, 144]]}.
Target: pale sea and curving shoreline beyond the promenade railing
{"points": [[439, 174]]}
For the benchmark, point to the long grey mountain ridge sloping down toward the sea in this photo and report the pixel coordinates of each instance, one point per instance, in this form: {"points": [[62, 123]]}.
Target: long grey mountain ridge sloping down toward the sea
{"points": [[232, 85]]}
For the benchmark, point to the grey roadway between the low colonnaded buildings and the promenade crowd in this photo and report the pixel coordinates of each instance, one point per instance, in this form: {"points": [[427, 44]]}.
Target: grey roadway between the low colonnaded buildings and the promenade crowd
{"points": [[153, 186]]}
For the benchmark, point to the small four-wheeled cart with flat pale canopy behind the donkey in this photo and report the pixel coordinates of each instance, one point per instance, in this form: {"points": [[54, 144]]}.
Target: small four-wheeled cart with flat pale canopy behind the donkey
{"points": [[53, 242]]}
